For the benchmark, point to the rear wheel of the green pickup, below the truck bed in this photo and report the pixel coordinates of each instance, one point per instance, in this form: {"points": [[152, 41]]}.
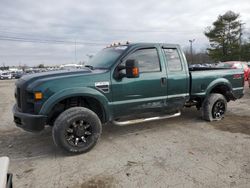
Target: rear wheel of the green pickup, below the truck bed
{"points": [[214, 107]]}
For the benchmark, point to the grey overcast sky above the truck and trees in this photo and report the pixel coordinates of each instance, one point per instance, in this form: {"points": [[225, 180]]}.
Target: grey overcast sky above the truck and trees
{"points": [[52, 27]]}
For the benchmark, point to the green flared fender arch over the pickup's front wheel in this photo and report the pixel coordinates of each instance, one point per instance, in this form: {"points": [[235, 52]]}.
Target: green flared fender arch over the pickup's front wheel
{"points": [[73, 92]]}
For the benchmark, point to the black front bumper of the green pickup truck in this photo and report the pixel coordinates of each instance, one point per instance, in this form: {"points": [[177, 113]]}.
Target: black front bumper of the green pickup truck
{"points": [[29, 122]]}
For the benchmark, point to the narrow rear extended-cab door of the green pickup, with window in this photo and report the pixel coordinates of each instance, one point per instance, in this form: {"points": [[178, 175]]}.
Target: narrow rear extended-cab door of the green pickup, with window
{"points": [[178, 79]]}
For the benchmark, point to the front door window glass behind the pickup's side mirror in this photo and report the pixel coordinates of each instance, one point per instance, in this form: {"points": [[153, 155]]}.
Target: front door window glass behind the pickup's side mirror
{"points": [[148, 60]]}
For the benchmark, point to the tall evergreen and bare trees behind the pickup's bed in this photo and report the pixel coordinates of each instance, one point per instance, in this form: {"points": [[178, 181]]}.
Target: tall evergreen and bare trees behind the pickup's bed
{"points": [[226, 41]]}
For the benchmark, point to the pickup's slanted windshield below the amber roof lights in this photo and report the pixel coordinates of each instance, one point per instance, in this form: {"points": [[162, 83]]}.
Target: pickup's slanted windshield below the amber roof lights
{"points": [[106, 57]]}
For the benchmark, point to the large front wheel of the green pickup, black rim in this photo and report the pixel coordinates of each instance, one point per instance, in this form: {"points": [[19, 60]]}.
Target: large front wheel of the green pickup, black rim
{"points": [[77, 130]]}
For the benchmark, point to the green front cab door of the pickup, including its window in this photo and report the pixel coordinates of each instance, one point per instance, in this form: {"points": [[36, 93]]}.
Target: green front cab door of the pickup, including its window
{"points": [[147, 93]]}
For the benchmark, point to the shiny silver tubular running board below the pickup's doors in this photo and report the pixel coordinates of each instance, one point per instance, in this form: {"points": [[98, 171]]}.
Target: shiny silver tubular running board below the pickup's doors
{"points": [[135, 121]]}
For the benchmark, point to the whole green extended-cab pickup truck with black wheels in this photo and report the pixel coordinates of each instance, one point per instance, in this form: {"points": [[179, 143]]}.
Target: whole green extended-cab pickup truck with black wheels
{"points": [[122, 84]]}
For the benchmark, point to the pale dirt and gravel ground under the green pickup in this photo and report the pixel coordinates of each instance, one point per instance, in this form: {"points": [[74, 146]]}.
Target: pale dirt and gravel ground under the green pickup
{"points": [[180, 152]]}
